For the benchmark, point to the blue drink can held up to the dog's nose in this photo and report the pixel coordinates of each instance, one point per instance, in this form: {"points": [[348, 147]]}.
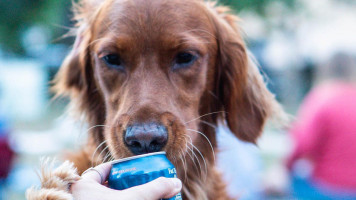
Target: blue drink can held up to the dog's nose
{"points": [[141, 169]]}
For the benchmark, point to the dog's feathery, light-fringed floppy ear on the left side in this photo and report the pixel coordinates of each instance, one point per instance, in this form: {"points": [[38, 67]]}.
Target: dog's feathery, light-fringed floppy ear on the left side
{"points": [[76, 79]]}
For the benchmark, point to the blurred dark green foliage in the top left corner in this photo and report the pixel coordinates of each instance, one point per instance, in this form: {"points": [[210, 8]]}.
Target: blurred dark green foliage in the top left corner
{"points": [[18, 15]]}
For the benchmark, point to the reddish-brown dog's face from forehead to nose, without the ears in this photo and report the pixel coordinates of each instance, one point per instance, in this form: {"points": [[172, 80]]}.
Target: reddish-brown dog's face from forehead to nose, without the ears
{"points": [[152, 71]]}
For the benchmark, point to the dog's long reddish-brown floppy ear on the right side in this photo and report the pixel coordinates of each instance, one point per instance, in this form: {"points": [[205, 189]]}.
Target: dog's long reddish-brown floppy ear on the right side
{"points": [[240, 87]]}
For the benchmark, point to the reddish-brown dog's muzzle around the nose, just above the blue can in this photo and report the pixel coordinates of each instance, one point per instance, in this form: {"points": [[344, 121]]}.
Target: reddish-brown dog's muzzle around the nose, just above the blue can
{"points": [[132, 137]]}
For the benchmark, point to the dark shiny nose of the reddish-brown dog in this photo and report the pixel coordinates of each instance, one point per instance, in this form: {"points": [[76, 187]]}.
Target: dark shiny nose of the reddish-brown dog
{"points": [[146, 138]]}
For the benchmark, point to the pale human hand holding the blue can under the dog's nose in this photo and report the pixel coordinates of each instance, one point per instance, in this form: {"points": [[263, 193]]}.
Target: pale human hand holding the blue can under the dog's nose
{"points": [[89, 187]]}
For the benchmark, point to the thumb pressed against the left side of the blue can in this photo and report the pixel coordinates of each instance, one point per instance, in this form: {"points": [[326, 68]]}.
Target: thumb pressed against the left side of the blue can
{"points": [[99, 173]]}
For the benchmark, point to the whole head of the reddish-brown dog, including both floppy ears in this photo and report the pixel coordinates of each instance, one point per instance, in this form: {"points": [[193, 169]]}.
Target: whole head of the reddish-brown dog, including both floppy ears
{"points": [[158, 73]]}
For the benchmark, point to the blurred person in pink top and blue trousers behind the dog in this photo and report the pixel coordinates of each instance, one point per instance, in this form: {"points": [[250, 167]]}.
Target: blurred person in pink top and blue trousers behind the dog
{"points": [[325, 136]]}
